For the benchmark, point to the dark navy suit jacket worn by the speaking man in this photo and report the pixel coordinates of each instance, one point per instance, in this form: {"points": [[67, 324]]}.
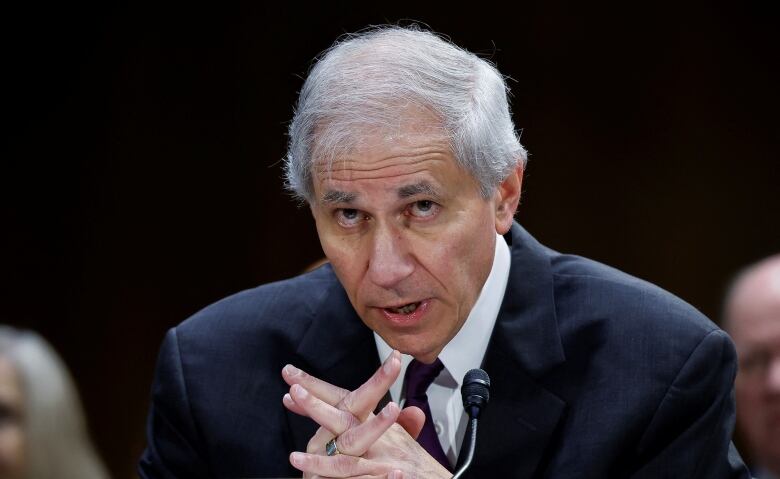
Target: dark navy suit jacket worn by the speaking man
{"points": [[595, 374]]}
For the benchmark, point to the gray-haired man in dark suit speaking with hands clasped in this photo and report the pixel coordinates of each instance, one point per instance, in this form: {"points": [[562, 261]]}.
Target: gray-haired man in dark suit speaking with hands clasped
{"points": [[404, 149]]}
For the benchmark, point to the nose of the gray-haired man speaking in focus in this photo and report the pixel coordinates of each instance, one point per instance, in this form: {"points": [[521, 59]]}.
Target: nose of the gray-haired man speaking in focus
{"points": [[390, 261]]}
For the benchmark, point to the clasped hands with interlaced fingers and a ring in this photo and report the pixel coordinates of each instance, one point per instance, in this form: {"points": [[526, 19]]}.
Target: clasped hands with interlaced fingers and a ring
{"points": [[370, 446]]}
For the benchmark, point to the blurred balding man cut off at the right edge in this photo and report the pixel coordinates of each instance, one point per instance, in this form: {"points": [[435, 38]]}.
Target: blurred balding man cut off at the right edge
{"points": [[752, 316]]}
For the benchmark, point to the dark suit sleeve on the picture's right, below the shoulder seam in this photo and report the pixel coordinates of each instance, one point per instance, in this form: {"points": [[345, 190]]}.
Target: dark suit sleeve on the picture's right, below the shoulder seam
{"points": [[690, 433]]}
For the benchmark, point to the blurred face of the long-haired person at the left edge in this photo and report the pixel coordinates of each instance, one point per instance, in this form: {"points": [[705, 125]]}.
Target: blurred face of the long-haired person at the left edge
{"points": [[12, 440]]}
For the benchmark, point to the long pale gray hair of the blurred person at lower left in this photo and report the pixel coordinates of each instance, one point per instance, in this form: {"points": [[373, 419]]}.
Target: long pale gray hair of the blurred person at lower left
{"points": [[56, 439]]}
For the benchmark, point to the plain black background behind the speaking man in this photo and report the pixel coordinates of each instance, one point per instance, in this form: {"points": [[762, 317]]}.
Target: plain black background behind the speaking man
{"points": [[140, 175]]}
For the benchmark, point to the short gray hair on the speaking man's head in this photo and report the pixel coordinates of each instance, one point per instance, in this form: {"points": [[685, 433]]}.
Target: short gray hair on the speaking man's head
{"points": [[367, 80]]}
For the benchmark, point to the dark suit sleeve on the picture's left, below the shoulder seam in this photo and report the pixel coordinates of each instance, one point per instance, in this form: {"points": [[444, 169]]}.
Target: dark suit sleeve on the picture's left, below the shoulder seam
{"points": [[174, 446]]}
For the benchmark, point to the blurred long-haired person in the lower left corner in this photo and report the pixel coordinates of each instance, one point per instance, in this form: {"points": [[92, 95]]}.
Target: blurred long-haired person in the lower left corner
{"points": [[43, 433]]}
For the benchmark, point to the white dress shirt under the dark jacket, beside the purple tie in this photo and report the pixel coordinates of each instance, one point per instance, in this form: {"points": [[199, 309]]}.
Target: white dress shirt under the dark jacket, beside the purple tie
{"points": [[464, 352]]}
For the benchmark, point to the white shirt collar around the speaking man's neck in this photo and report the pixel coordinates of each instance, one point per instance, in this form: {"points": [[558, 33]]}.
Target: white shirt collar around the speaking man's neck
{"points": [[467, 349]]}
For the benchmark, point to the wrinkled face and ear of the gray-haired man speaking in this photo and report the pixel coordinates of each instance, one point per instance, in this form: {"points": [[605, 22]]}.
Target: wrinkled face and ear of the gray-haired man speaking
{"points": [[409, 235]]}
